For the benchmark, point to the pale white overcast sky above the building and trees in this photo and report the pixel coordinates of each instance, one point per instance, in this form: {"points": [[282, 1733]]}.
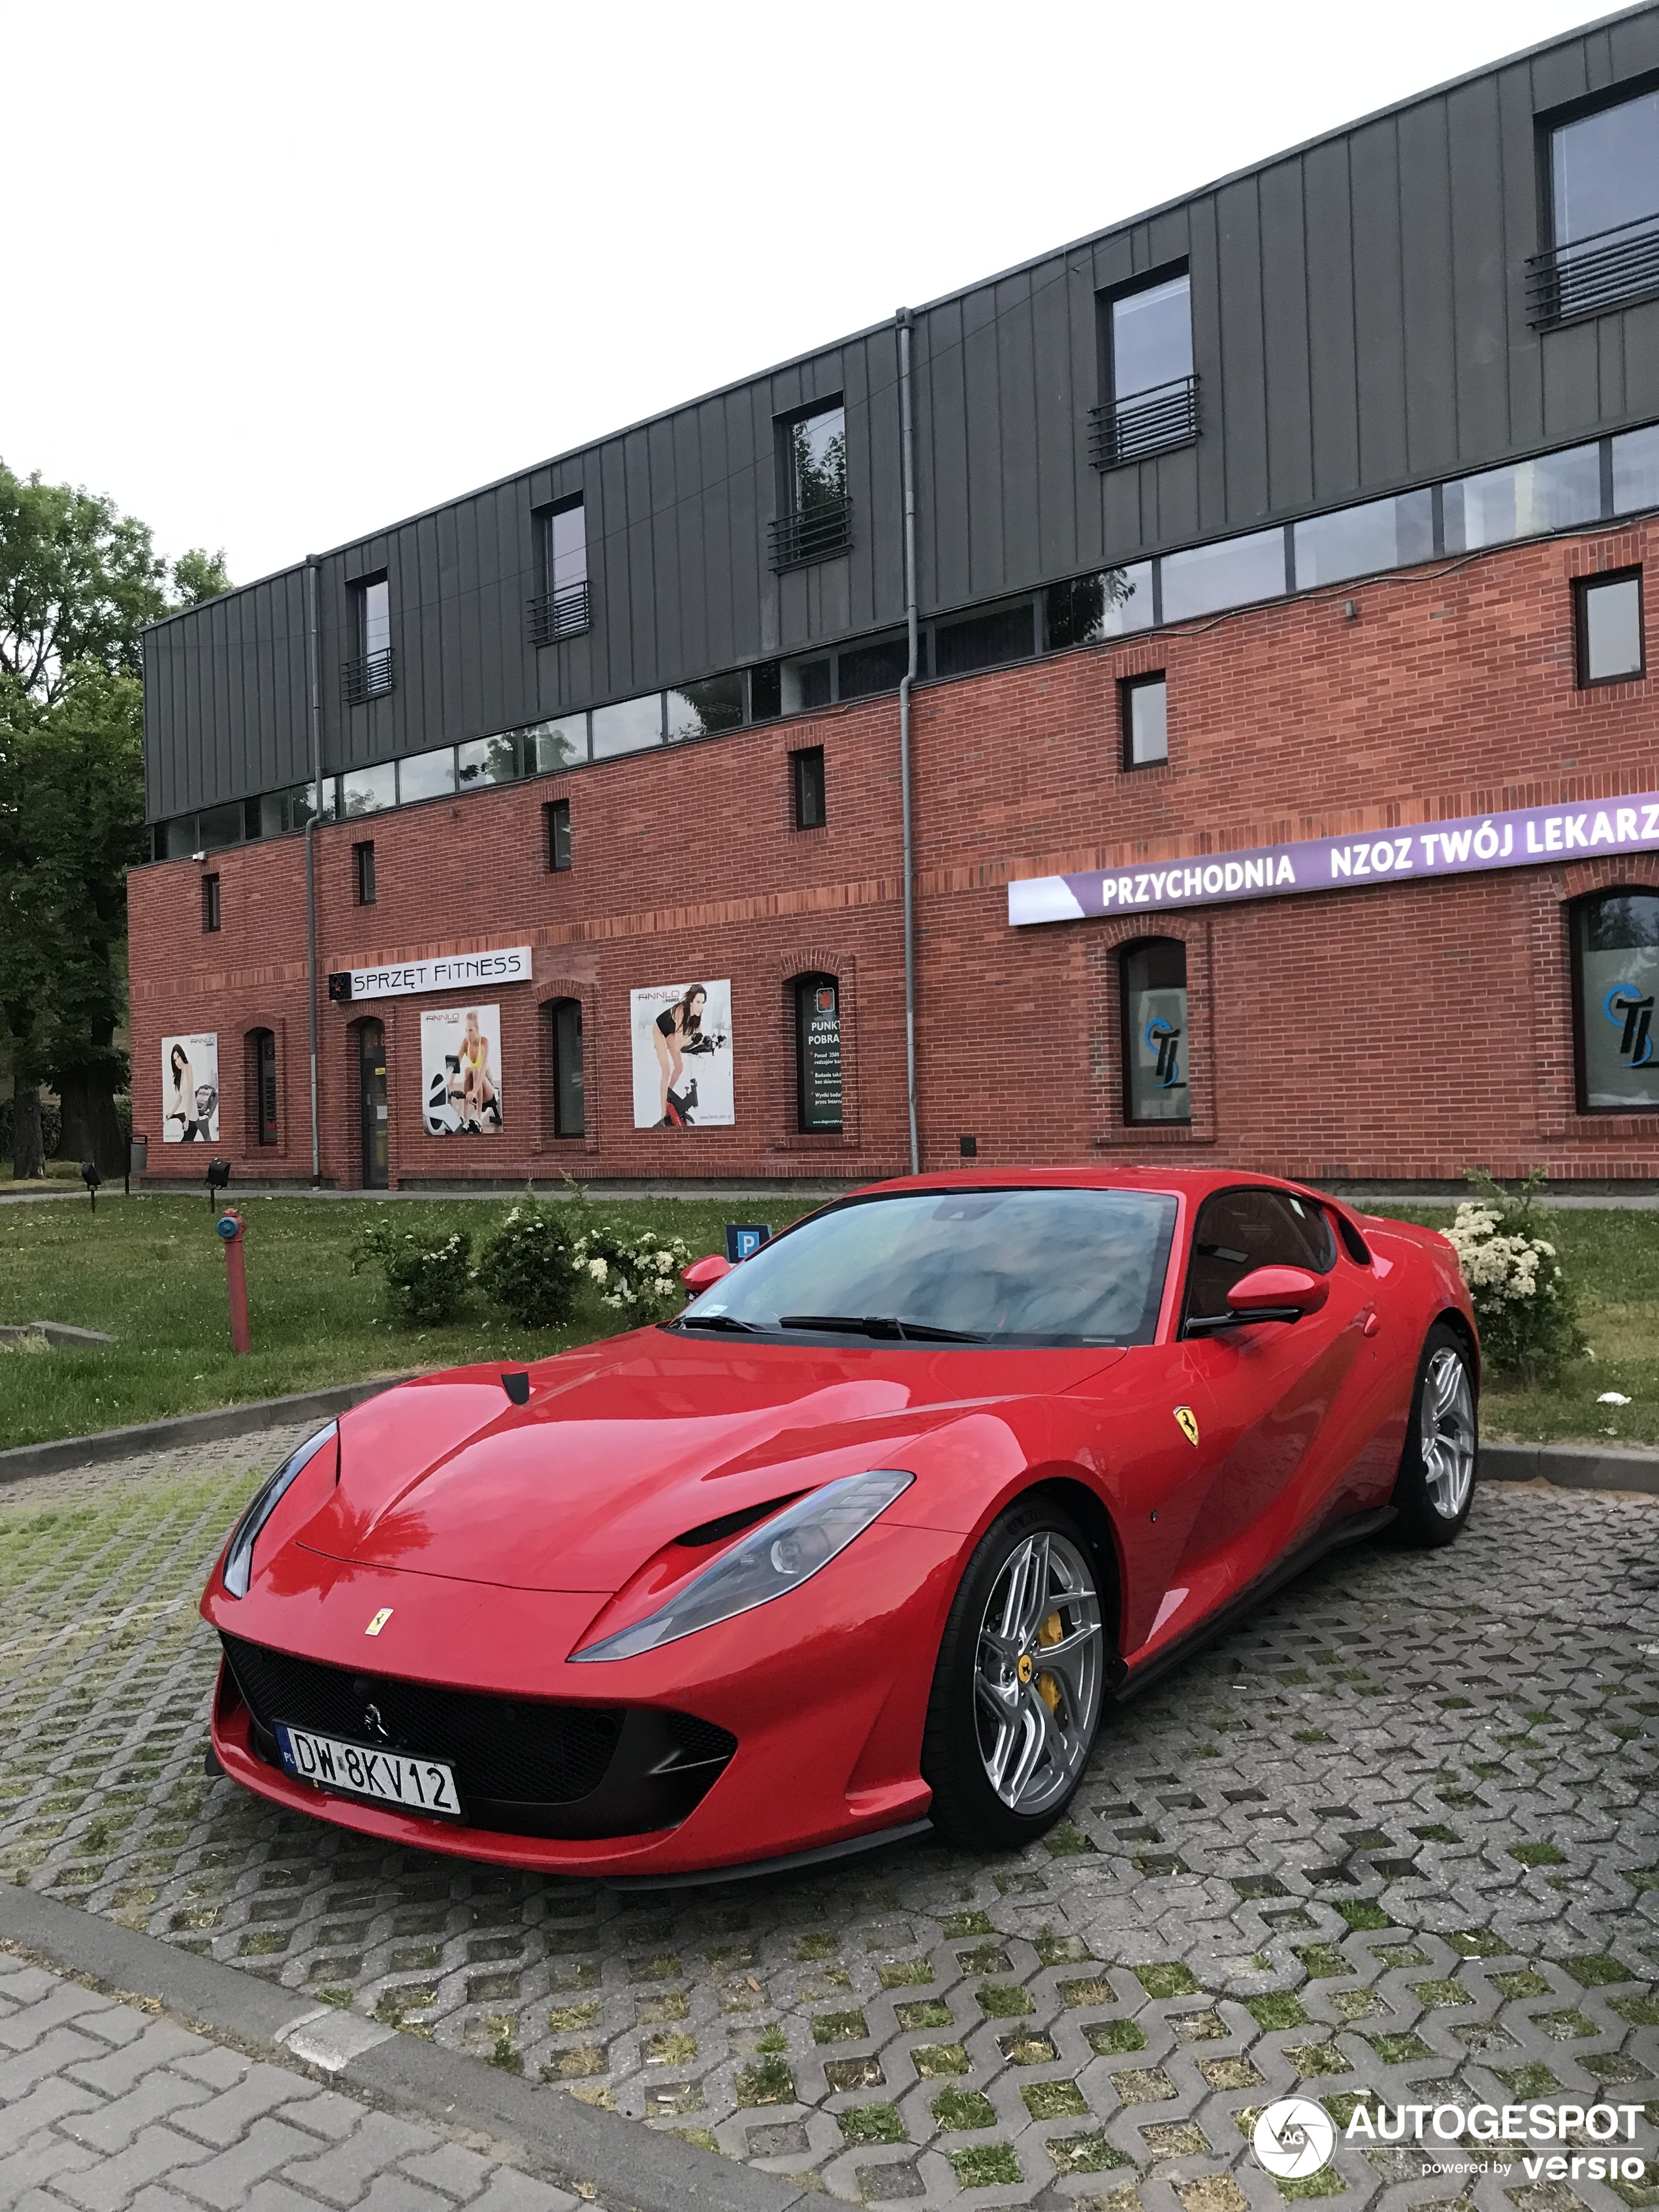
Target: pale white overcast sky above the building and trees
{"points": [[282, 273]]}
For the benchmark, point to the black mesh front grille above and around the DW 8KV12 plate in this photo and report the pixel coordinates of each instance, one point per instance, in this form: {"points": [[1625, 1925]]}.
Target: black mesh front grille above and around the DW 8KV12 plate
{"points": [[503, 1749]]}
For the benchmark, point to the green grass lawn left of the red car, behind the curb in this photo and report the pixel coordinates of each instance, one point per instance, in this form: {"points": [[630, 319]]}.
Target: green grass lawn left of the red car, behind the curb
{"points": [[152, 1273]]}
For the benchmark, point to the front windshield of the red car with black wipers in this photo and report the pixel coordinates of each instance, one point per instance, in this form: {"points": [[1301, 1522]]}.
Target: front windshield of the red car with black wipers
{"points": [[1056, 1266]]}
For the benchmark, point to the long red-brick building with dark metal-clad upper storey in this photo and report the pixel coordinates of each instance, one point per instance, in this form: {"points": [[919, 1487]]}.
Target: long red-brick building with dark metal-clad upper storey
{"points": [[1282, 753]]}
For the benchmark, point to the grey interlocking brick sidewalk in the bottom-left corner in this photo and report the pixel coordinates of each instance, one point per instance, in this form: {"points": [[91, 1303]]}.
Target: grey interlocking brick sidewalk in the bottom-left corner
{"points": [[105, 2109]]}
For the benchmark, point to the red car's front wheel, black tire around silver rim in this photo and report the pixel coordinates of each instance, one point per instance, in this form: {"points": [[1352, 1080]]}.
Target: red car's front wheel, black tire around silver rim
{"points": [[968, 1808]]}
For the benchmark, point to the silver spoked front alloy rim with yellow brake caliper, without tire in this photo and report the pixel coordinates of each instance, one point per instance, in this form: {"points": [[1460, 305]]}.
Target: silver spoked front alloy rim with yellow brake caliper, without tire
{"points": [[1039, 1673]]}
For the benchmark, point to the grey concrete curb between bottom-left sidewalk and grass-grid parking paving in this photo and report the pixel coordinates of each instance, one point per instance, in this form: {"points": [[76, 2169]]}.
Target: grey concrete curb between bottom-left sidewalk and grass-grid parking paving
{"points": [[550, 2131]]}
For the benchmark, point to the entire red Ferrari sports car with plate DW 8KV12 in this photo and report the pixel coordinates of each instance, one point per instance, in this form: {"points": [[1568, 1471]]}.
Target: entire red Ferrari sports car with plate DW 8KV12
{"points": [[870, 1536]]}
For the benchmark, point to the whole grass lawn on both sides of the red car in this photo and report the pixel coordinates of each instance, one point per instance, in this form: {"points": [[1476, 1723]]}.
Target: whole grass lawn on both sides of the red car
{"points": [[152, 1275]]}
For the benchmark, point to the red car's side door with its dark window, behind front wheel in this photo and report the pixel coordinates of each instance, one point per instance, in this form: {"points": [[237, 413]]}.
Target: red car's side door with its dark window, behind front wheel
{"points": [[1284, 1395]]}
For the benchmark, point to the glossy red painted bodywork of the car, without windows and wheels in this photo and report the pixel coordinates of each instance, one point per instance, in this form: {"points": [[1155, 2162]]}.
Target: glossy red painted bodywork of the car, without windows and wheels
{"points": [[497, 1538]]}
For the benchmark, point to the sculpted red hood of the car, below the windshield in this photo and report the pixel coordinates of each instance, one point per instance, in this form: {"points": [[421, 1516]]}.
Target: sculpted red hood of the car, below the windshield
{"points": [[629, 1446]]}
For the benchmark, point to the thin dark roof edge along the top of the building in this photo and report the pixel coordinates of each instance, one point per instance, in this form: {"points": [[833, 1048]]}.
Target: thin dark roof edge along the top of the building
{"points": [[932, 306]]}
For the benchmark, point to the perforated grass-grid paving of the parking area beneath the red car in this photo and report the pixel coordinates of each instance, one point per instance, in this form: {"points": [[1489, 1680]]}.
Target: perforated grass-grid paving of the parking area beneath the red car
{"points": [[1392, 1837]]}
